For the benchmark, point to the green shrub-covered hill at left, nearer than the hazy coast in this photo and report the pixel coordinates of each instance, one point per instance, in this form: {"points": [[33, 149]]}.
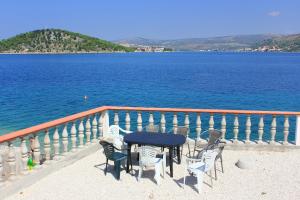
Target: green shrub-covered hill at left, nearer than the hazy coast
{"points": [[57, 41]]}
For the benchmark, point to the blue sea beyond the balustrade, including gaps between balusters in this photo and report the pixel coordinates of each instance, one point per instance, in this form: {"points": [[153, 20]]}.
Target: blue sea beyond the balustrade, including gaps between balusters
{"points": [[39, 88]]}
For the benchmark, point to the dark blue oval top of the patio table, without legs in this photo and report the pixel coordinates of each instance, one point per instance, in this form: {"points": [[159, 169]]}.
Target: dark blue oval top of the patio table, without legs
{"points": [[155, 139]]}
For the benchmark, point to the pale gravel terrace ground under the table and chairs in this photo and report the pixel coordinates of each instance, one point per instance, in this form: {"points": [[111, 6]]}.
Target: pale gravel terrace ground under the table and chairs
{"points": [[275, 175]]}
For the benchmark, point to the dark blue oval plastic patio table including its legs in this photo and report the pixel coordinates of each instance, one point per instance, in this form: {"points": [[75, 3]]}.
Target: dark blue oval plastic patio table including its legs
{"points": [[167, 140]]}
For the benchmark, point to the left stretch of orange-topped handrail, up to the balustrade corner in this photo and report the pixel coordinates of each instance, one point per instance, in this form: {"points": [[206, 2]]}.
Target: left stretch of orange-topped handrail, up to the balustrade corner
{"points": [[47, 125]]}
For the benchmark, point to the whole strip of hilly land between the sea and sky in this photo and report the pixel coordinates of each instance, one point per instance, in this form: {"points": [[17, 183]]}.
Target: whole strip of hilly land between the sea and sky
{"points": [[62, 41]]}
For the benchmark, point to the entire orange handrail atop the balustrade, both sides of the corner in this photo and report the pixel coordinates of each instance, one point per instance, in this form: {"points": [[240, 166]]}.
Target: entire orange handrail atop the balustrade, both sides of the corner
{"points": [[70, 118]]}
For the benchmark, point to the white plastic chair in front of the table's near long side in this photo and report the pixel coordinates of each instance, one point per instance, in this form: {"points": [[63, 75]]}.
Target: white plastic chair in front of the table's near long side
{"points": [[148, 158]]}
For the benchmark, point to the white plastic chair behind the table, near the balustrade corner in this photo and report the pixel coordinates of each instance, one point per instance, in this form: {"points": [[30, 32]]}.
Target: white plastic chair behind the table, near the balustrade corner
{"points": [[114, 133]]}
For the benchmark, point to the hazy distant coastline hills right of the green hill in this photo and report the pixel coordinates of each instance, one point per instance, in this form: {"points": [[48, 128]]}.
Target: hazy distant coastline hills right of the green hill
{"points": [[262, 42]]}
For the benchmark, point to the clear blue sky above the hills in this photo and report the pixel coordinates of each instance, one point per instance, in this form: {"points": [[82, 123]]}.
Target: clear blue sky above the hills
{"points": [[157, 19]]}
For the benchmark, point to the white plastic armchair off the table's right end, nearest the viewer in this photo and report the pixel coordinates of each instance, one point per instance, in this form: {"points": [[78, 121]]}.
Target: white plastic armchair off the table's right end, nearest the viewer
{"points": [[200, 166]]}
